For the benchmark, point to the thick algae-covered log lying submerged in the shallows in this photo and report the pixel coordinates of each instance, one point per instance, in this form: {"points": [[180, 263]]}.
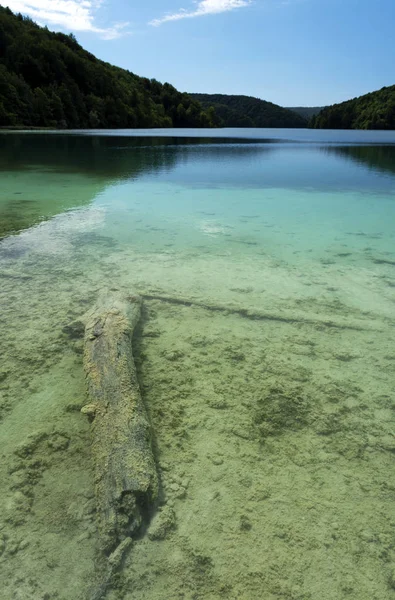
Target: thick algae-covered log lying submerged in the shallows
{"points": [[126, 480]]}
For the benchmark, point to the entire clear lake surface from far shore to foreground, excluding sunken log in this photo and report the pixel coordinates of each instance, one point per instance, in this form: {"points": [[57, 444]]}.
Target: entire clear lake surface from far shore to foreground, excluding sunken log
{"points": [[275, 433]]}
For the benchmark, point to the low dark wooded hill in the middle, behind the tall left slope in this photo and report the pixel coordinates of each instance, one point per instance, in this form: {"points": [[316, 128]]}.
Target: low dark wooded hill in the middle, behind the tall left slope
{"points": [[246, 111]]}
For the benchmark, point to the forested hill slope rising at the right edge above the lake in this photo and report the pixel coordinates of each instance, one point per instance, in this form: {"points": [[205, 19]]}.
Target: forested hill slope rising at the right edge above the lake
{"points": [[371, 111]]}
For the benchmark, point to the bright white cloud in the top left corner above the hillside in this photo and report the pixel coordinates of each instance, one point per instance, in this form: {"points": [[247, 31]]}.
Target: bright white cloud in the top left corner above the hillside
{"points": [[76, 15]]}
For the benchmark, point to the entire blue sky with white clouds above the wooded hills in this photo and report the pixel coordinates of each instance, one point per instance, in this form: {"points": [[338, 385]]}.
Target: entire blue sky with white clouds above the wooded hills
{"points": [[291, 52]]}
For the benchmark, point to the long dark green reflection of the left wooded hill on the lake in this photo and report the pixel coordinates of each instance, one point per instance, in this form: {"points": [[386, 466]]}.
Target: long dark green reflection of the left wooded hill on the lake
{"points": [[44, 174]]}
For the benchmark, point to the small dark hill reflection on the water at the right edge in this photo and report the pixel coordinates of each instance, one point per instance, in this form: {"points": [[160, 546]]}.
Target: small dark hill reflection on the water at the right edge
{"points": [[376, 158]]}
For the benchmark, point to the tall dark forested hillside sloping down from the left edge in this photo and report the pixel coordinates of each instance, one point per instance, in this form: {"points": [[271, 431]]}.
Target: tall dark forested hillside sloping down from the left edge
{"points": [[48, 80]]}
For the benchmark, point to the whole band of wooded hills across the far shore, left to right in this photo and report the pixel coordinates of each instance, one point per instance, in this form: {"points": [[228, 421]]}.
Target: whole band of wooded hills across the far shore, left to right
{"points": [[48, 80]]}
